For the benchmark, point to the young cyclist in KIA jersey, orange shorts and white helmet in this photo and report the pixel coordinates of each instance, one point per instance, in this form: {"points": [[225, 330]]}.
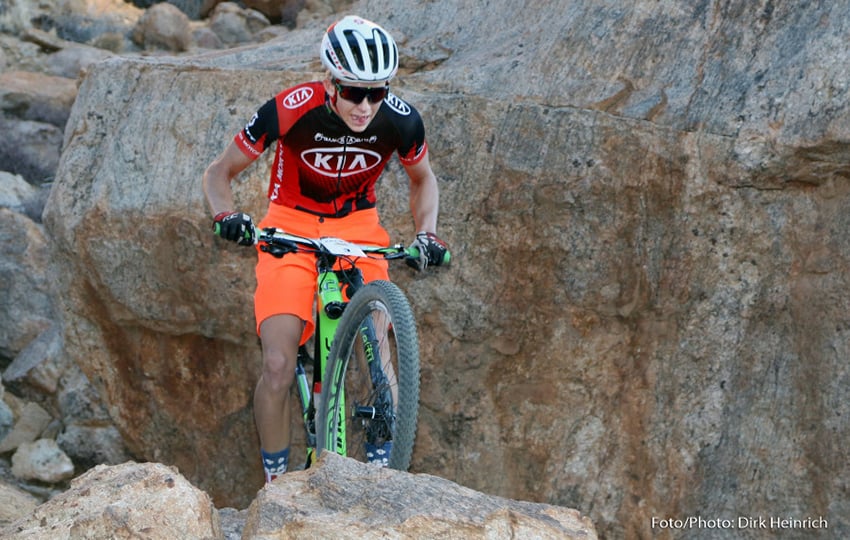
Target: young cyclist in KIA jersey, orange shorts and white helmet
{"points": [[333, 139]]}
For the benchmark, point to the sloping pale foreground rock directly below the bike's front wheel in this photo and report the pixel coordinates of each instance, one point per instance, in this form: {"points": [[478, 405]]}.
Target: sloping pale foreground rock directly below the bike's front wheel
{"points": [[344, 499]]}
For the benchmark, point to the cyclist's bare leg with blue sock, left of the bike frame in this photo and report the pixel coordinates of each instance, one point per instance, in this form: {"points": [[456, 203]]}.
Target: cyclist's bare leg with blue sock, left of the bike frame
{"points": [[280, 336]]}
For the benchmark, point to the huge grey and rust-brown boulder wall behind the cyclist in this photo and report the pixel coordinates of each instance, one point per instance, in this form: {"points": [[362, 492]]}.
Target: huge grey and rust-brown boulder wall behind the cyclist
{"points": [[647, 204]]}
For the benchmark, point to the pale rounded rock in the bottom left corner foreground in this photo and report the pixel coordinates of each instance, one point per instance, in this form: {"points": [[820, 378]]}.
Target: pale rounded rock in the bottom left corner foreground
{"points": [[129, 500]]}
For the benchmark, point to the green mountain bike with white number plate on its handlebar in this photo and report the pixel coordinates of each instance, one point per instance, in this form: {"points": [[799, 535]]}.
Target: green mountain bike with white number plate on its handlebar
{"points": [[365, 348]]}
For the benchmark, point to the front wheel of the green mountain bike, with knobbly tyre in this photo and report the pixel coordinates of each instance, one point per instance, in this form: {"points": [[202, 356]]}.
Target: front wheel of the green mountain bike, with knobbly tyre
{"points": [[370, 394]]}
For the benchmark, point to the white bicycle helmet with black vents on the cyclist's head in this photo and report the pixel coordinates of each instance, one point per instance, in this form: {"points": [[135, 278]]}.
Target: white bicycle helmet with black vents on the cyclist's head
{"points": [[356, 50]]}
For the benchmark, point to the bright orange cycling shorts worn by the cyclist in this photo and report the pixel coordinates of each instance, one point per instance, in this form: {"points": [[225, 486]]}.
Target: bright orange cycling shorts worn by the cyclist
{"points": [[288, 285]]}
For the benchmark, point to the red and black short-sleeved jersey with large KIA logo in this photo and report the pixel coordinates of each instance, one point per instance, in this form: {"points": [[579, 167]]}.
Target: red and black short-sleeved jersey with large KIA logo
{"points": [[320, 165]]}
